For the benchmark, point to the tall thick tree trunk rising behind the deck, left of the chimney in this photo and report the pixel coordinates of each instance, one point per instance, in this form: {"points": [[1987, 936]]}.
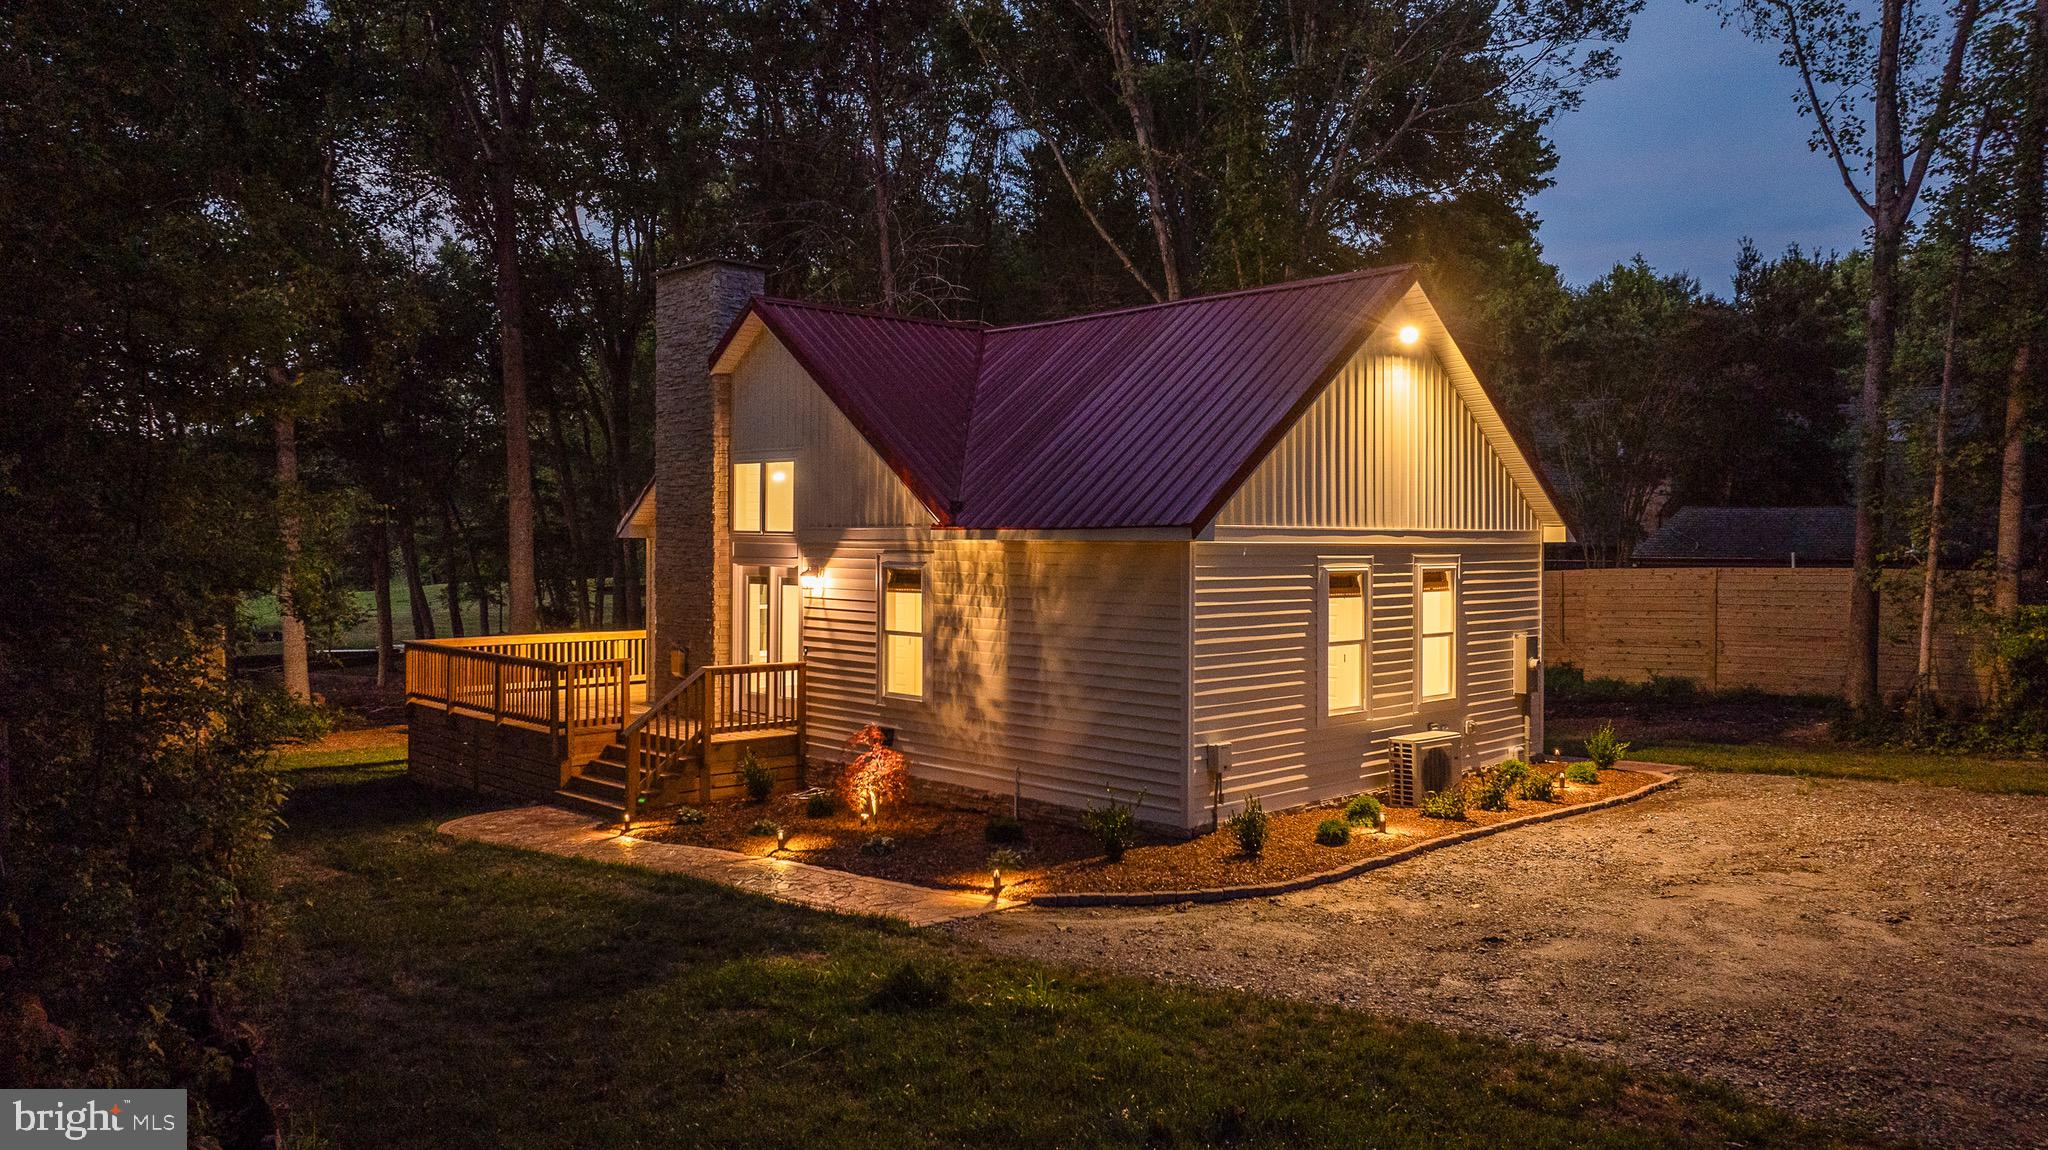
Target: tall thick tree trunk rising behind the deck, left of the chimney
{"points": [[513, 355]]}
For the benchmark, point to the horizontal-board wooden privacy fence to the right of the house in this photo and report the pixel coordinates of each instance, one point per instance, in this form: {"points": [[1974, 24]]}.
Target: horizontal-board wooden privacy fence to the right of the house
{"points": [[1775, 629]]}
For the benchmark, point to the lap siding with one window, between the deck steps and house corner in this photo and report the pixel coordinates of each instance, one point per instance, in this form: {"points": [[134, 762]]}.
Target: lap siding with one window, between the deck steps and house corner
{"points": [[1056, 668]]}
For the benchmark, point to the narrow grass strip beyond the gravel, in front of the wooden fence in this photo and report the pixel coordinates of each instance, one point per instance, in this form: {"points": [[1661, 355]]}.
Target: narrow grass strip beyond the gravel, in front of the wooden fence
{"points": [[1969, 772]]}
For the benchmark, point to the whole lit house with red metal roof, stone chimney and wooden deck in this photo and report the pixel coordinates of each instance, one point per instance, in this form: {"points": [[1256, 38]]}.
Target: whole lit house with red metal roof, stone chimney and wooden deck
{"points": [[1263, 543]]}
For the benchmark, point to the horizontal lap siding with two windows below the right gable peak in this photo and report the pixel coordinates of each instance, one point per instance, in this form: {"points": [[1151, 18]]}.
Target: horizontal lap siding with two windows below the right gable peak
{"points": [[1258, 678]]}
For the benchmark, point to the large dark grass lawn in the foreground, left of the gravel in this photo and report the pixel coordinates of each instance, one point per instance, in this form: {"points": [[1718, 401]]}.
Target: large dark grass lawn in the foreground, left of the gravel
{"points": [[417, 991]]}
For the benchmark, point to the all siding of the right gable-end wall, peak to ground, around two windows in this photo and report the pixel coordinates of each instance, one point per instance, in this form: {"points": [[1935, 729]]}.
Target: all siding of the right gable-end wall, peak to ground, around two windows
{"points": [[1388, 470]]}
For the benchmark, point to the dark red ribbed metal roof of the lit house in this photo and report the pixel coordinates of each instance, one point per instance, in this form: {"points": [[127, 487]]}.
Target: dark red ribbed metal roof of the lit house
{"points": [[1136, 418]]}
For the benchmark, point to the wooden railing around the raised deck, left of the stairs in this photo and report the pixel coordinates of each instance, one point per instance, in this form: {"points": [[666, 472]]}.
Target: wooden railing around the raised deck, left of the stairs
{"points": [[566, 682]]}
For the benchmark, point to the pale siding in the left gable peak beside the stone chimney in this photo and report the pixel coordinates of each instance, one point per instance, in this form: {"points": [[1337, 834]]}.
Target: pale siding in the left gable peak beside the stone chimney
{"points": [[779, 412]]}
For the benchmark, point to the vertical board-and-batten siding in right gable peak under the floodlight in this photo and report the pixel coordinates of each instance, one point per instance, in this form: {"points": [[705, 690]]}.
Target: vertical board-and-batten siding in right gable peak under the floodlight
{"points": [[1388, 447]]}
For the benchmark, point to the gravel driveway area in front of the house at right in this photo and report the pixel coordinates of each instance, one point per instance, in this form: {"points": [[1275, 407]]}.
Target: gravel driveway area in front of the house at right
{"points": [[1838, 948]]}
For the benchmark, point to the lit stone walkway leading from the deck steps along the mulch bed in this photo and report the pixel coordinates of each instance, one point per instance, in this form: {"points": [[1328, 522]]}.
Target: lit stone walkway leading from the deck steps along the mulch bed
{"points": [[566, 834]]}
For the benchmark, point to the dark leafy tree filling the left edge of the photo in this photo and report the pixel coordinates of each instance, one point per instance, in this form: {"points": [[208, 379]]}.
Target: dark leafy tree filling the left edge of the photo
{"points": [[138, 511]]}
